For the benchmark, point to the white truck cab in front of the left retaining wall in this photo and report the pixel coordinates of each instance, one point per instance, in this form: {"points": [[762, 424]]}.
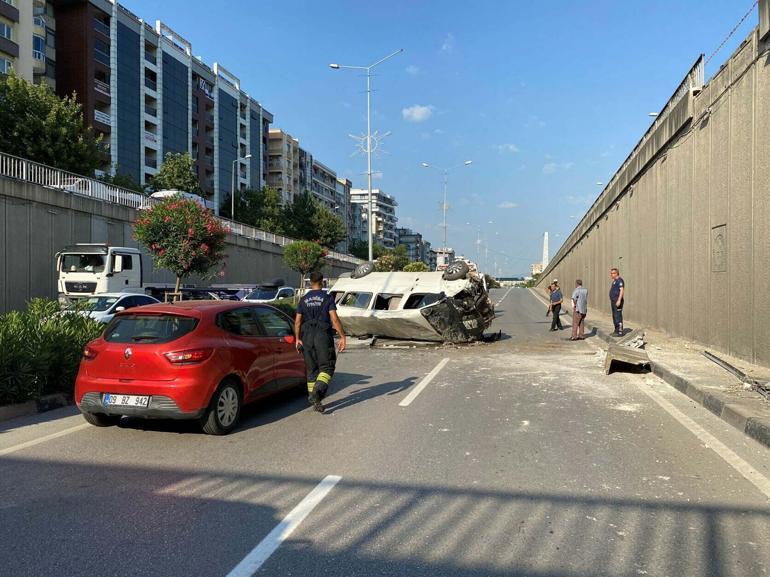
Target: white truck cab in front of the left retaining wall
{"points": [[88, 269]]}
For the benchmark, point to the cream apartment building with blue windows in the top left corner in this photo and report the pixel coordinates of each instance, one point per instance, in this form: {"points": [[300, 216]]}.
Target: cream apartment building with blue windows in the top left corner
{"points": [[28, 40]]}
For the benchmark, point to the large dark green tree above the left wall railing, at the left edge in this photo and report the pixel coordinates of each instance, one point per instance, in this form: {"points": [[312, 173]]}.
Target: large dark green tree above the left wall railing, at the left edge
{"points": [[38, 125]]}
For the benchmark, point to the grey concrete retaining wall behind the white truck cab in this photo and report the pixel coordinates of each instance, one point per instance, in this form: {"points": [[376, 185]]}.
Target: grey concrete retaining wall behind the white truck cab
{"points": [[36, 222]]}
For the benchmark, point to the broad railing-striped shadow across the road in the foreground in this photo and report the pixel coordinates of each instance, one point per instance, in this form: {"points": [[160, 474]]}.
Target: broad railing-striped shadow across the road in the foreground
{"points": [[94, 519]]}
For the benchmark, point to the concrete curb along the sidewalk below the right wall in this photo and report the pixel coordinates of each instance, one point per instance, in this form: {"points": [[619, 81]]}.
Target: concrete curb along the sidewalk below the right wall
{"points": [[740, 416]]}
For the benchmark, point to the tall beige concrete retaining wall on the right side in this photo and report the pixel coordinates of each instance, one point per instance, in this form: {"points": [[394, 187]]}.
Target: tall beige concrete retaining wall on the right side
{"points": [[690, 232]]}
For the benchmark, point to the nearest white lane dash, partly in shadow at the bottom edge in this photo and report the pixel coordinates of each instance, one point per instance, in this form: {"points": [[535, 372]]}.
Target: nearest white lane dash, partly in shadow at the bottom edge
{"points": [[256, 558]]}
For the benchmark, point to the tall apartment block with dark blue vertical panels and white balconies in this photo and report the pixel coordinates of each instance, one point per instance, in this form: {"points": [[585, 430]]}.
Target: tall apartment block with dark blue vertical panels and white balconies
{"points": [[144, 90]]}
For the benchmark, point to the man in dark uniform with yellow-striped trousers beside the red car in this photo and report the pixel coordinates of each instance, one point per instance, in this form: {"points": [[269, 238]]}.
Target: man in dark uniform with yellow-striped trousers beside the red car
{"points": [[316, 315]]}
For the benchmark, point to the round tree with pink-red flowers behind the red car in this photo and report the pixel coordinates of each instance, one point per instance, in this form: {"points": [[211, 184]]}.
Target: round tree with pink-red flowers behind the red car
{"points": [[182, 237]]}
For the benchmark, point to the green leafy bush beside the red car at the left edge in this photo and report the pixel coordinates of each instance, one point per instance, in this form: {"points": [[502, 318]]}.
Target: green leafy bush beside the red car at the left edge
{"points": [[40, 350]]}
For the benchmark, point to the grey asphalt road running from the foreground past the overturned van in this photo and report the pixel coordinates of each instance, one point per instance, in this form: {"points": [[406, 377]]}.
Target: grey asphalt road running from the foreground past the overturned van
{"points": [[519, 457]]}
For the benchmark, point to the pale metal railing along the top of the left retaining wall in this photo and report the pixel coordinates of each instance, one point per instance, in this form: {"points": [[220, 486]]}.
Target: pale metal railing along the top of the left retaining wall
{"points": [[70, 183]]}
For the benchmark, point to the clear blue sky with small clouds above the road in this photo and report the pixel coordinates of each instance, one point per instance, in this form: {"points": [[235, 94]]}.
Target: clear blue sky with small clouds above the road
{"points": [[546, 98]]}
